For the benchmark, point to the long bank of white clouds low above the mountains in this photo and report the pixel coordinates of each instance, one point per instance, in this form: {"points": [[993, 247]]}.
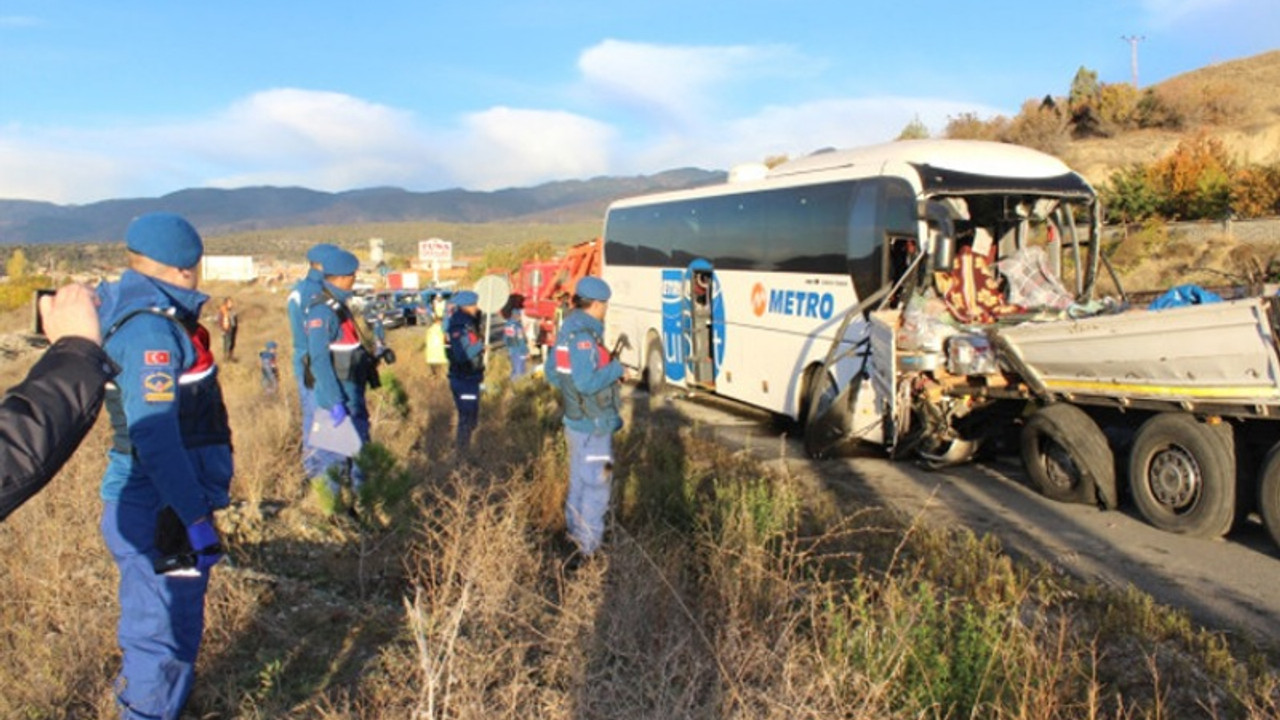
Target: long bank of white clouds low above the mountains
{"points": [[335, 142]]}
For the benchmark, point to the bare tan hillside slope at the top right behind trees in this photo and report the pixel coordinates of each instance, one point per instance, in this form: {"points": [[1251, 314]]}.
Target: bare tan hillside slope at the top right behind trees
{"points": [[1254, 136]]}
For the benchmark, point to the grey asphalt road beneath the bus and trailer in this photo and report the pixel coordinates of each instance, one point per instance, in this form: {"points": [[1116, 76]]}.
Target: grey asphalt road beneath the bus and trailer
{"points": [[1231, 585]]}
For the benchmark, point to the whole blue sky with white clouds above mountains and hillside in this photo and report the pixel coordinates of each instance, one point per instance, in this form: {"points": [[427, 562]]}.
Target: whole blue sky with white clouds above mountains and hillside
{"points": [[136, 99]]}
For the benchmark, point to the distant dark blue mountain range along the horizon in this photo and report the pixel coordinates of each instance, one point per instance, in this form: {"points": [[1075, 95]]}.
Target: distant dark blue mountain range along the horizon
{"points": [[217, 212]]}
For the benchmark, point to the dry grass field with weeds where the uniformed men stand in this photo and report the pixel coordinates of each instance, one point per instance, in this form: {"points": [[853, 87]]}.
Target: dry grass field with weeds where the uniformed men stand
{"points": [[726, 590]]}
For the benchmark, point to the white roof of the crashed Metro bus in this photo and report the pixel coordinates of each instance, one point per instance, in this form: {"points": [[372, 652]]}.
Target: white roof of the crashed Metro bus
{"points": [[958, 165]]}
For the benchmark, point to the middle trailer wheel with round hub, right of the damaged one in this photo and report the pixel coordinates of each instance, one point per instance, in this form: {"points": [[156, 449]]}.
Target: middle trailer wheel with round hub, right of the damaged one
{"points": [[1182, 475]]}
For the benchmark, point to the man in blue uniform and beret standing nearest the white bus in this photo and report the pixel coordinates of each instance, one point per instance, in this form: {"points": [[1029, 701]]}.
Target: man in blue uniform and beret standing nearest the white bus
{"points": [[588, 379]]}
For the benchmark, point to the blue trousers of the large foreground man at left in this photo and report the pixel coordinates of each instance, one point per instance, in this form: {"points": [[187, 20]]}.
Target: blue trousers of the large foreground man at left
{"points": [[162, 618]]}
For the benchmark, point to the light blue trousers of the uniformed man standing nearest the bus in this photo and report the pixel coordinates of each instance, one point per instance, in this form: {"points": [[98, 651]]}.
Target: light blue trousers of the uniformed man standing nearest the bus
{"points": [[591, 471]]}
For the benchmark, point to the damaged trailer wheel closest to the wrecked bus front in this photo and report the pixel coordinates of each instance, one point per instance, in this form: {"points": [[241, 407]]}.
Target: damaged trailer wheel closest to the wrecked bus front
{"points": [[1068, 457]]}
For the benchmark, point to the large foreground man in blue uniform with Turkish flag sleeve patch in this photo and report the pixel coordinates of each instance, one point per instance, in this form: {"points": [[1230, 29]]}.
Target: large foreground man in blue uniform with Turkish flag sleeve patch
{"points": [[170, 466]]}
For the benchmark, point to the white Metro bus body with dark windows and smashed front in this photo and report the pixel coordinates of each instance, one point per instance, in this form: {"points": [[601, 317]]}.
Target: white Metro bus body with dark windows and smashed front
{"points": [[789, 254]]}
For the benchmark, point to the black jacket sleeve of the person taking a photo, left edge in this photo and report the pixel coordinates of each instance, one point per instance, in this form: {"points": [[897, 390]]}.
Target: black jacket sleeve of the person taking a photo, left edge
{"points": [[44, 420]]}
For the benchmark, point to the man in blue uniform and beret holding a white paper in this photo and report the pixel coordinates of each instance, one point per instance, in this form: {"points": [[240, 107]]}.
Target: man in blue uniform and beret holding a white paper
{"points": [[340, 364]]}
